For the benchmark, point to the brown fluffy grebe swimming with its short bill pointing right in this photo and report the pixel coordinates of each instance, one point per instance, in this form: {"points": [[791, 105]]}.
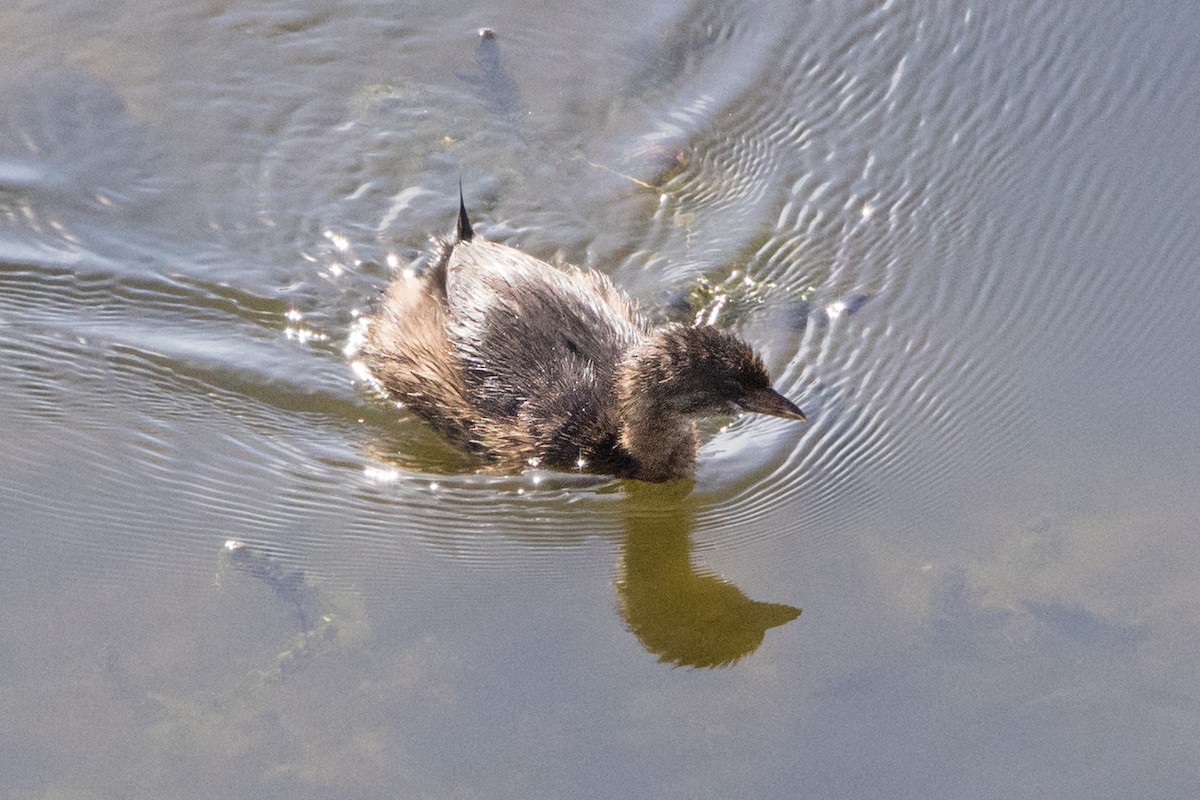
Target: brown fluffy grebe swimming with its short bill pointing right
{"points": [[532, 365]]}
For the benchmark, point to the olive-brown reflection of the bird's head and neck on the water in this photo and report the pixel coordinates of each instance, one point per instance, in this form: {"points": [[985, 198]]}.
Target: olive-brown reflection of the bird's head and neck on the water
{"points": [[683, 616]]}
